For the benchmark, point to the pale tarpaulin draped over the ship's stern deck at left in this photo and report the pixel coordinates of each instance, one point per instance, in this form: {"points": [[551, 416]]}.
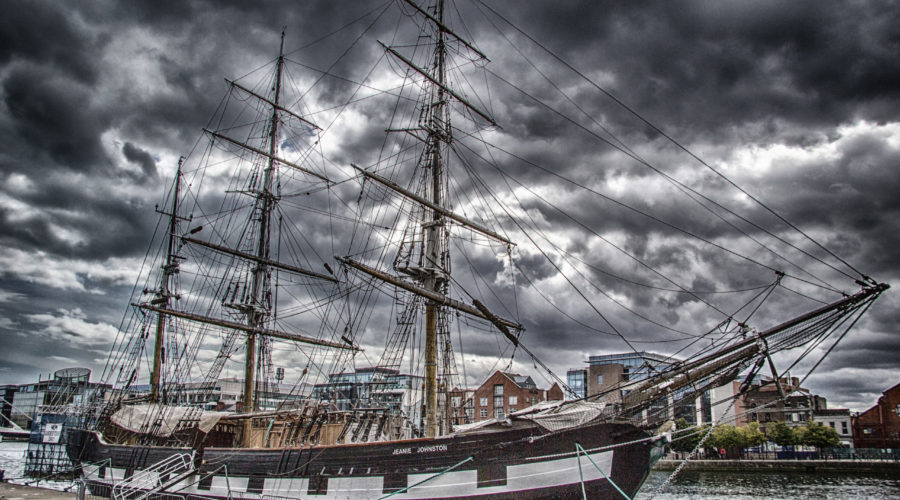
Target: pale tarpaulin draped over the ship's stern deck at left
{"points": [[143, 418]]}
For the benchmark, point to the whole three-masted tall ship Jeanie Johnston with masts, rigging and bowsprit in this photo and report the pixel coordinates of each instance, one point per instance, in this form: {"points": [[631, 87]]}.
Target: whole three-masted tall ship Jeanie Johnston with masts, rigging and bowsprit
{"points": [[282, 254]]}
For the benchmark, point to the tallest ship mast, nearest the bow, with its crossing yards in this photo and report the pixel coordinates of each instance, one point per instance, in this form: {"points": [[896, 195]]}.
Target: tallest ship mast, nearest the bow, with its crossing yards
{"points": [[423, 256]]}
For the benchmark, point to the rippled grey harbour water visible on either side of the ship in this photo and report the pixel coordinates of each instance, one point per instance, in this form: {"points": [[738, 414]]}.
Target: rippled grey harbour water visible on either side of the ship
{"points": [[689, 485]]}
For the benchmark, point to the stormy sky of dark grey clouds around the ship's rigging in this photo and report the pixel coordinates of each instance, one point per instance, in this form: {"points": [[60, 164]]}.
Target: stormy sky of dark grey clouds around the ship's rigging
{"points": [[796, 102]]}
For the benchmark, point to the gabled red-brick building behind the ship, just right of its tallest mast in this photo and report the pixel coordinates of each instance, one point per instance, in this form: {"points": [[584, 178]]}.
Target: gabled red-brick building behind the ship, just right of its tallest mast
{"points": [[503, 393]]}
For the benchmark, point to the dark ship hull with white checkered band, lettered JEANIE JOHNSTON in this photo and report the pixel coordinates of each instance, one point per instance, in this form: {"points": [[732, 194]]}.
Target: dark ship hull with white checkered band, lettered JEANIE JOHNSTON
{"points": [[520, 463]]}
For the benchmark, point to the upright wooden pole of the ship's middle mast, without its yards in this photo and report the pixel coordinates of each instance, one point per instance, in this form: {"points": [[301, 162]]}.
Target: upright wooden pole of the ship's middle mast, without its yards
{"points": [[258, 313]]}
